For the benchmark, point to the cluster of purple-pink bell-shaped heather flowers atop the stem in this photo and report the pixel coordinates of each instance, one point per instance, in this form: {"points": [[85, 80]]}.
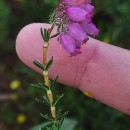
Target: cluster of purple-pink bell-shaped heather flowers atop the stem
{"points": [[74, 20]]}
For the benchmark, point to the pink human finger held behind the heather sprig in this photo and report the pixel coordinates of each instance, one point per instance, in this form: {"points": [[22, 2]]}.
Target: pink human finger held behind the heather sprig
{"points": [[102, 69]]}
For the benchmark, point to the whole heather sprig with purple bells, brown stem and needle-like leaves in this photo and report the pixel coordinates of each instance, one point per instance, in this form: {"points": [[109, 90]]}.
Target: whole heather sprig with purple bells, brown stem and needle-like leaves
{"points": [[73, 20]]}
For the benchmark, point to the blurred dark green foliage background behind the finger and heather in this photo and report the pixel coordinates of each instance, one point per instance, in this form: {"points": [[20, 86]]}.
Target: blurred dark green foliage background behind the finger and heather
{"points": [[18, 109]]}
